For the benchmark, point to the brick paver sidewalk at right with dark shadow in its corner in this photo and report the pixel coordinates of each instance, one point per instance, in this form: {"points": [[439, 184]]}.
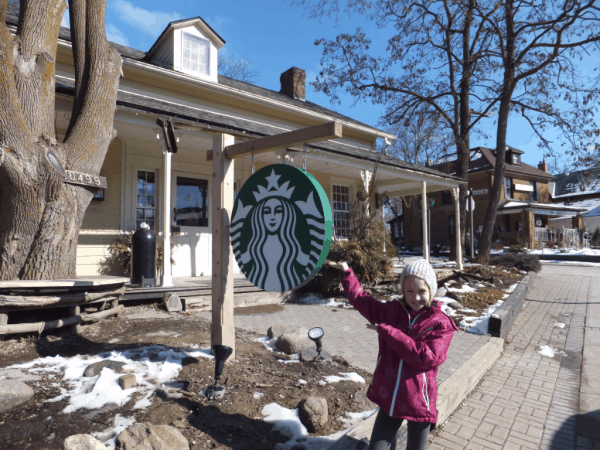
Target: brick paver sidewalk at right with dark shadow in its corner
{"points": [[530, 401]]}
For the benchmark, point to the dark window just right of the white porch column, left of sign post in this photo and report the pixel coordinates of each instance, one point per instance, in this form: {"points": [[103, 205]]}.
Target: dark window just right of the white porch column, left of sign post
{"points": [[192, 202]]}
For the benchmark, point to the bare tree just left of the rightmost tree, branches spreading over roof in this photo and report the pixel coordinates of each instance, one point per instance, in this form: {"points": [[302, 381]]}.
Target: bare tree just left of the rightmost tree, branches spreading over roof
{"points": [[435, 59]]}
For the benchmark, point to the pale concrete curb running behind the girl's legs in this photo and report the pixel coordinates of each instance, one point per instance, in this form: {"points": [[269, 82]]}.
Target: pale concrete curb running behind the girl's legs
{"points": [[451, 392]]}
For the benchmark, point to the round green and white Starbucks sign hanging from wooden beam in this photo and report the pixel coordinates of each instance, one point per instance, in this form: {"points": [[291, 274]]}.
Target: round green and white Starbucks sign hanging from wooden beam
{"points": [[281, 228]]}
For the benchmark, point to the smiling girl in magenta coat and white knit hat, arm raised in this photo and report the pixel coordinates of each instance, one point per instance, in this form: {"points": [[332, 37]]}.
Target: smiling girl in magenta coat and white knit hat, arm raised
{"points": [[414, 336]]}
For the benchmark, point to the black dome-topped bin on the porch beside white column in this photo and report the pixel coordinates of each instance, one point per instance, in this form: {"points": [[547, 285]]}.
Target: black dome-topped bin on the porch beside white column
{"points": [[143, 257]]}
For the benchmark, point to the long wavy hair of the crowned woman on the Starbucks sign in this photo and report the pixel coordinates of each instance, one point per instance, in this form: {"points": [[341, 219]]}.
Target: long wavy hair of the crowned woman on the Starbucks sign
{"points": [[288, 278]]}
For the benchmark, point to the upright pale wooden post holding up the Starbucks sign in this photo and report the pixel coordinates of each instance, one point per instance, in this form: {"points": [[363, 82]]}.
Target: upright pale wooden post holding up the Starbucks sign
{"points": [[222, 328]]}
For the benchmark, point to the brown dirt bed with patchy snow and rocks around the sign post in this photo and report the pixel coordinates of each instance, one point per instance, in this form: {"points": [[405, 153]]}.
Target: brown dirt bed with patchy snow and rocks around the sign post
{"points": [[234, 422]]}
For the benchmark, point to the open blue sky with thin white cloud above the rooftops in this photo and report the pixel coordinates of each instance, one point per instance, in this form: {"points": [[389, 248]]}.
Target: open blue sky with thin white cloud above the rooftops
{"points": [[273, 36]]}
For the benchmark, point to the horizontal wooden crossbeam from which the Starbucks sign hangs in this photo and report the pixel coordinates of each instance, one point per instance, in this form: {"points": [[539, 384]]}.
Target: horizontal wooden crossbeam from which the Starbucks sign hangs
{"points": [[317, 133]]}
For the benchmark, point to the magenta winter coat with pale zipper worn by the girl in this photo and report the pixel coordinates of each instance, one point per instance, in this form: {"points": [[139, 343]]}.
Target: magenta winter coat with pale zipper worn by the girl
{"points": [[411, 348]]}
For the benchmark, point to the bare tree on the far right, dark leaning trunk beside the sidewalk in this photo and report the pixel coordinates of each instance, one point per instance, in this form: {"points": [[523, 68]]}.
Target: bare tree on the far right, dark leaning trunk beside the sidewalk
{"points": [[537, 46]]}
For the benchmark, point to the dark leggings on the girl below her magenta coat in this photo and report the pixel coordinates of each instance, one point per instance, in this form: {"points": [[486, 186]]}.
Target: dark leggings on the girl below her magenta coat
{"points": [[385, 433]]}
